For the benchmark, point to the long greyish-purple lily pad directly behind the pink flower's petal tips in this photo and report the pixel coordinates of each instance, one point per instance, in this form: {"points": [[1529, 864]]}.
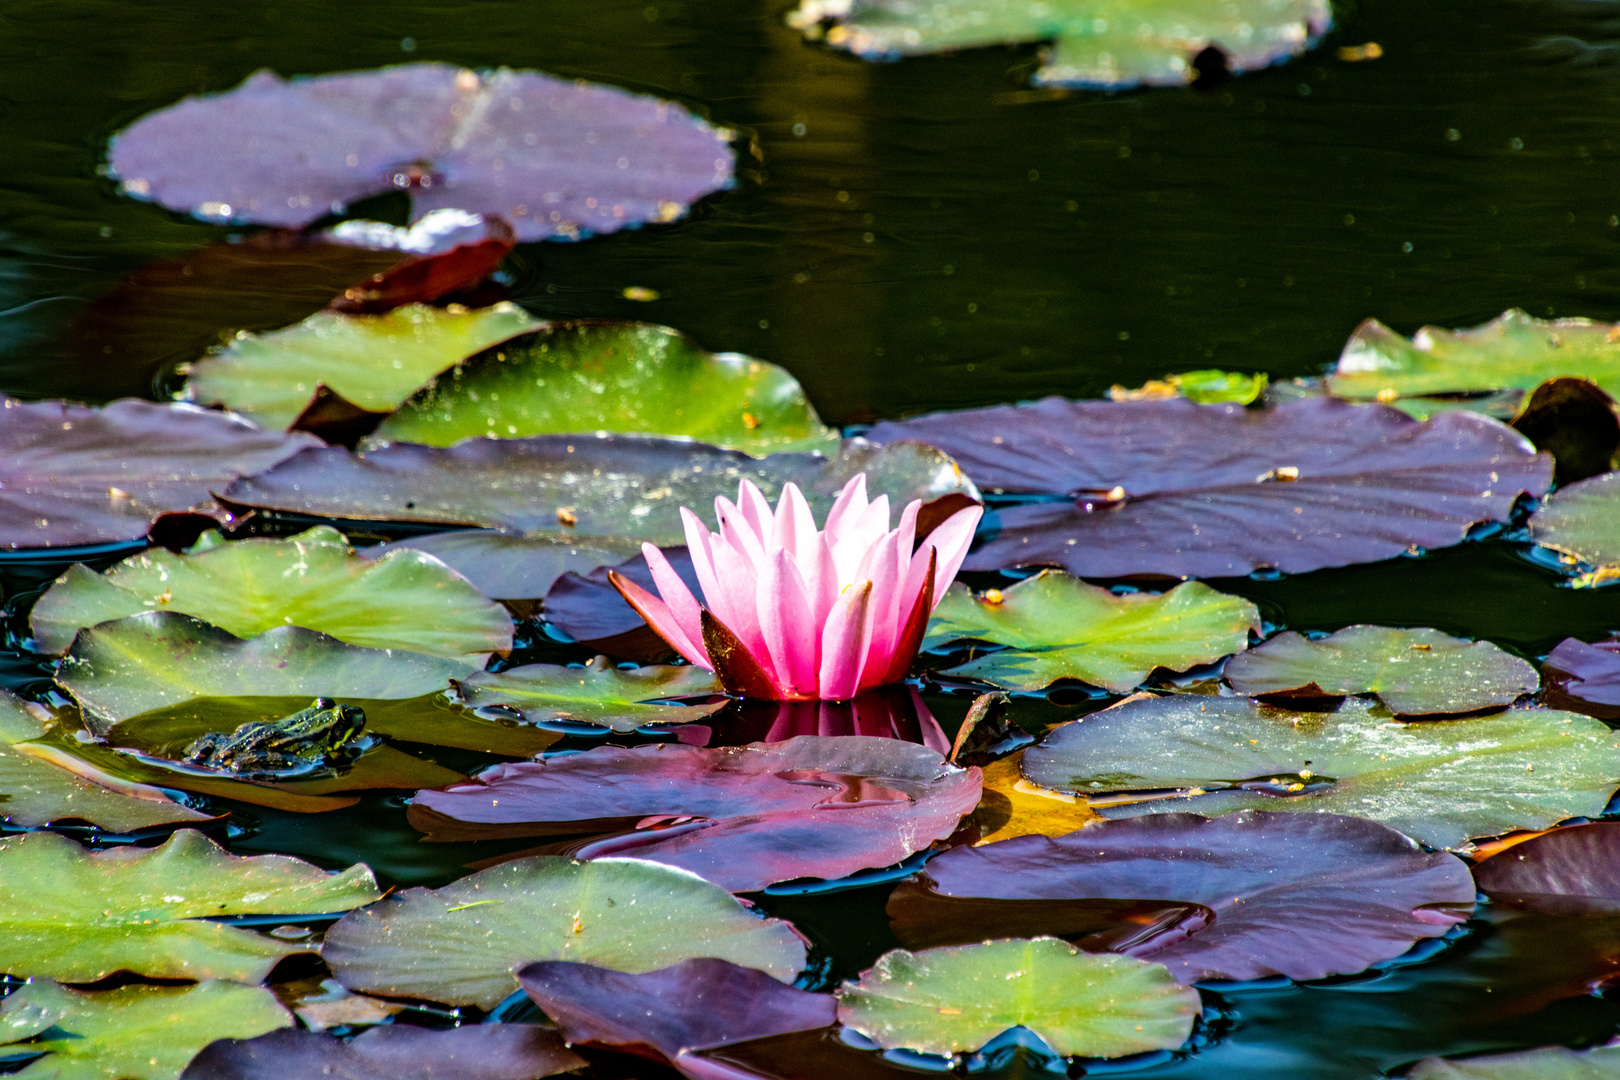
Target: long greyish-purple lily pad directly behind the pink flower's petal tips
{"points": [[581, 487]]}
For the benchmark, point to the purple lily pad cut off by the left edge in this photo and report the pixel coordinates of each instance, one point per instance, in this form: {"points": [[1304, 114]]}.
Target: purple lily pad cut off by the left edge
{"points": [[77, 475]]}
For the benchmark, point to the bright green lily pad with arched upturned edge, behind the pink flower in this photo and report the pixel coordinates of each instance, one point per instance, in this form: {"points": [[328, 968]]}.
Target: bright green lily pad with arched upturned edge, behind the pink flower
{"points": [[612, 376]]}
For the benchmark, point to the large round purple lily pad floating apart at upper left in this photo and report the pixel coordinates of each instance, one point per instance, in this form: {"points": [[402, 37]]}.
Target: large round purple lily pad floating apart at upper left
{"points": [[555, 158]]}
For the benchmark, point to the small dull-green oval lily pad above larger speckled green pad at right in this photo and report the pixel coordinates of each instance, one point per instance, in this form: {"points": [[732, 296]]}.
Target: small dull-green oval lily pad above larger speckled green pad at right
{"points": [[1412, 671]]}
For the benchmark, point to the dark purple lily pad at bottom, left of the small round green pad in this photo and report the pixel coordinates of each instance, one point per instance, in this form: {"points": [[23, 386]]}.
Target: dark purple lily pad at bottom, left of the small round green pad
{"points": [[673, 1013]]}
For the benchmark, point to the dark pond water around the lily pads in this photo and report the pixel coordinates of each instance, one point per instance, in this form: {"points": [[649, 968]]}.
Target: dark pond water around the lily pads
{"points": [[929, 236]]}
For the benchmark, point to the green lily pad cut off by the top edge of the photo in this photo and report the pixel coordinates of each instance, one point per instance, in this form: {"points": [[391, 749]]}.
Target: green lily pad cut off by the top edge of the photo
{"points": [[1106, 45]]}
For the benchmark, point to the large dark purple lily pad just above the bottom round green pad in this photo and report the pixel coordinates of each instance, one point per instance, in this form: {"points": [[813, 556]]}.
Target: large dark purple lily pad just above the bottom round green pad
{"points": [[1305, 896]]}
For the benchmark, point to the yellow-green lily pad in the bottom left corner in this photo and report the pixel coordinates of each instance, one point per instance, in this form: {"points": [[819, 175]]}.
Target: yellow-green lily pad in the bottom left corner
{"points": [[134, 1032]]}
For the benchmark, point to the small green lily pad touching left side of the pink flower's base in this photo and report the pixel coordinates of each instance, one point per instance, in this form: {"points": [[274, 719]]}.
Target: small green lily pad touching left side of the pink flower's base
{"points": [[599, 694]]}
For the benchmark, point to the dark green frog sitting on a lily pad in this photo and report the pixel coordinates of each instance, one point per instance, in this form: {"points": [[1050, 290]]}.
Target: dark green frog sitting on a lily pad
{"points": [[312, 739]]}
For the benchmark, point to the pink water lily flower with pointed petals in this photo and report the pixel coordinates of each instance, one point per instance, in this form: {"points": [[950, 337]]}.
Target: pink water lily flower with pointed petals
{"points": [[796, 614]]}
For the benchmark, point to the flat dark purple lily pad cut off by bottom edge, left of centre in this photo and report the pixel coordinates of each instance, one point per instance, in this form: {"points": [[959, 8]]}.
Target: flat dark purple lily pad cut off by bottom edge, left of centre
{"points": [[485, 1052]]}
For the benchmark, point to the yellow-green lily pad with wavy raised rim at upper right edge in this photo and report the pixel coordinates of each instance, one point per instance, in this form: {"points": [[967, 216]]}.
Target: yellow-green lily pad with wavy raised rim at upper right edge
{"points": [[1512, 352]]}
